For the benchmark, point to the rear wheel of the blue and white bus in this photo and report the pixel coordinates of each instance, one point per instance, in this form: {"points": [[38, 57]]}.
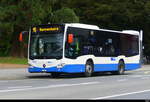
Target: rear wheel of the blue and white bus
{"points": [[121, 68]]}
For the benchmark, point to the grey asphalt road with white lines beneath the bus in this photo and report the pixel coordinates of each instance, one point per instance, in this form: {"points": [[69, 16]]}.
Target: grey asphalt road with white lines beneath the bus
{"points": [[19, 84]]}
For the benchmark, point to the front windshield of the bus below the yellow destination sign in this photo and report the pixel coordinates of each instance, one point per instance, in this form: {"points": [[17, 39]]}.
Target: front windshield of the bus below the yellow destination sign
{"points": [[47, 45]]}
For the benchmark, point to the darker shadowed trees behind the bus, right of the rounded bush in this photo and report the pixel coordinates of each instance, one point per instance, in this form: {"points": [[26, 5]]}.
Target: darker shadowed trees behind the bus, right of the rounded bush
{"points": [[116, 15]]}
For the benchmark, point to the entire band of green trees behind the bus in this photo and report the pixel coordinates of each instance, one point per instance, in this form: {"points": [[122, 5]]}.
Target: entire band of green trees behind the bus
{"points": [[19, 15]]}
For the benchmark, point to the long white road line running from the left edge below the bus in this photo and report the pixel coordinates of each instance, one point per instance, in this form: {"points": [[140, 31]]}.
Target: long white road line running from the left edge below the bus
{"points": [[44, 87]]}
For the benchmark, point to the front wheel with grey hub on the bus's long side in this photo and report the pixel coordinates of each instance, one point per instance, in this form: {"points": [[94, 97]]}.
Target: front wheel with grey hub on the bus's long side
{"points": [[88, 69]]}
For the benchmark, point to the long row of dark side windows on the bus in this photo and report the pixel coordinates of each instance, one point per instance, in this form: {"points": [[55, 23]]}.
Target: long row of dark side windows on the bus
{"points": [[100, 43]]}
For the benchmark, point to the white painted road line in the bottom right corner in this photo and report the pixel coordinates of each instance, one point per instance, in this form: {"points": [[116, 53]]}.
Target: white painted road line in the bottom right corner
{"points": [[124, 94]]}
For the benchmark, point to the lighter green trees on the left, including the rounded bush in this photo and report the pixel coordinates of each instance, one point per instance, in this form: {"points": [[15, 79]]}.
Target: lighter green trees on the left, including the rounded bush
{"points": [[19, 15]]}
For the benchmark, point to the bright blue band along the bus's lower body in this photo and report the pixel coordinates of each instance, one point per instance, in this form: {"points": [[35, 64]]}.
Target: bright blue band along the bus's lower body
{"points": [[79, 68]]}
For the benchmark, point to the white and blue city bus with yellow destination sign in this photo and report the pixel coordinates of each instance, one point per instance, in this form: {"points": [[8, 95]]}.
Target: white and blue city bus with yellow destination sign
{"points": [[82, 48]]}
